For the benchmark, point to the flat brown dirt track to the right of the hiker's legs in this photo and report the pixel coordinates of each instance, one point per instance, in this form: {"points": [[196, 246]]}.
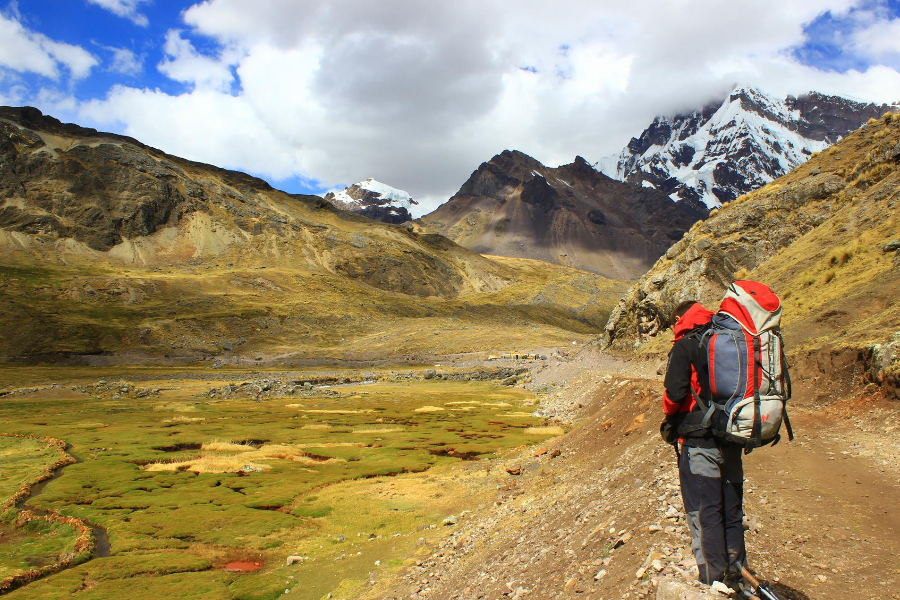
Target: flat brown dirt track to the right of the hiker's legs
{"points": [[828, 519]]}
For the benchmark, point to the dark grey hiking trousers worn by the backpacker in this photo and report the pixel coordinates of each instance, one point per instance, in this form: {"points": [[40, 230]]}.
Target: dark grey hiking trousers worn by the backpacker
{"points": [[712, 489]]}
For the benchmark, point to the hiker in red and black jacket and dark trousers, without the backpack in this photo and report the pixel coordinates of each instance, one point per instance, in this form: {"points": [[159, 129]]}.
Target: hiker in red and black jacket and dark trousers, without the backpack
{"points": [[710, 469]]}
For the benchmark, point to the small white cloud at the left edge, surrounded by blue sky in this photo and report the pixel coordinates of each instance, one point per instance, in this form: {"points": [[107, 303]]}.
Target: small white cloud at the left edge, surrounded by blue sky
{"points": [[26, 51]]}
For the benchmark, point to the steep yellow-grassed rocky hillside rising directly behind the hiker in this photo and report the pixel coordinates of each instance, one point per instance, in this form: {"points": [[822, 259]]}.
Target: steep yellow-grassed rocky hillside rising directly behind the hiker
{"points": [[825, 236]]}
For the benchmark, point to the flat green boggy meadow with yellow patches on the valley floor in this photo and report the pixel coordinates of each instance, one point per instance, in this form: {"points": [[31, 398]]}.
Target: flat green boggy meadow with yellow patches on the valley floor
{"points": [[199, 495]]}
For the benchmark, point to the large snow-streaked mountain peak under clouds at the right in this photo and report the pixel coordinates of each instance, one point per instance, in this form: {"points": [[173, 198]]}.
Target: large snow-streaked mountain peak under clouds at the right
{"points": [[725, 150]]}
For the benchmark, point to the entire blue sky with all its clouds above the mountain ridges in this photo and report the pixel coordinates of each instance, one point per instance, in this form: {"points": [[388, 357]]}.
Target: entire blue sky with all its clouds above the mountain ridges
{"points": [[313, 95]]}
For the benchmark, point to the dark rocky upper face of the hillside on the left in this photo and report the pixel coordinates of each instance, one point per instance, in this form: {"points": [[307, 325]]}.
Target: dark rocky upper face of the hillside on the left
{"points": [[101, 189]]}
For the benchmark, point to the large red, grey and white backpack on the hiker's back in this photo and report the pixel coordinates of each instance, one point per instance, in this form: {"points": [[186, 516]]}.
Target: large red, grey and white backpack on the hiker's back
{"points": [[748, 373]]}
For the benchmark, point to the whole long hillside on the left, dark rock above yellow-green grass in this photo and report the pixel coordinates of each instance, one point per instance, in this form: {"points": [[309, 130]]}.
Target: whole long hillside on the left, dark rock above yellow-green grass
{"points": [[111, 248]]}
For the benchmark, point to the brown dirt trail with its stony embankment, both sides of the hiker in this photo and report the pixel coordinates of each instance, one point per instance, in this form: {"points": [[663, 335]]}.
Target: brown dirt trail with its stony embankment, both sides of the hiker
{"points": [[603, 519]]}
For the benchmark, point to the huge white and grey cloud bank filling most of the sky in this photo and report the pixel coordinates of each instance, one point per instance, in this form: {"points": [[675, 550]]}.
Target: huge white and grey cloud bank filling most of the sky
{"points": [[417, 94]]}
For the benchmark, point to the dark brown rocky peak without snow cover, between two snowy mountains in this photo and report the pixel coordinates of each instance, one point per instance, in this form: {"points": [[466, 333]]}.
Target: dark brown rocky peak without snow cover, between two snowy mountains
{"points": [[514, 206]]}
